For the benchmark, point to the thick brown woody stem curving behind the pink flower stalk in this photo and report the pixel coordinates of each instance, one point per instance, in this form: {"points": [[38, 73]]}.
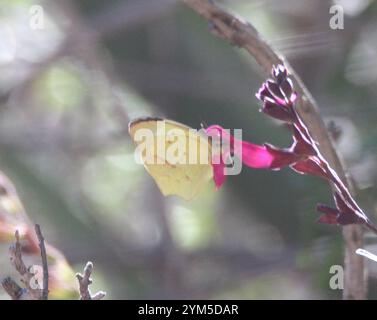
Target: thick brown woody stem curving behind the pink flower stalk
{"points": [[243, 34]]}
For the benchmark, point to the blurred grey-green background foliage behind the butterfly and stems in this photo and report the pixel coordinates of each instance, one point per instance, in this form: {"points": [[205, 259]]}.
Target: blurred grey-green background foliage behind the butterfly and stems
{"points": [[68, 91]]}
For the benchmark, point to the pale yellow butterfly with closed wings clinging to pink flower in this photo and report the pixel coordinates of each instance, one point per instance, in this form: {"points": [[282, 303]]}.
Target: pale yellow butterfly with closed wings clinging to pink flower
{"points": [[176, 156]]}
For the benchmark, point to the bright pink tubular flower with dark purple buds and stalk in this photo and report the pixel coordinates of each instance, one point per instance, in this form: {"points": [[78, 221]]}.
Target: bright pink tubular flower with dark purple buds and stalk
{"points": [[303, 156]]}
